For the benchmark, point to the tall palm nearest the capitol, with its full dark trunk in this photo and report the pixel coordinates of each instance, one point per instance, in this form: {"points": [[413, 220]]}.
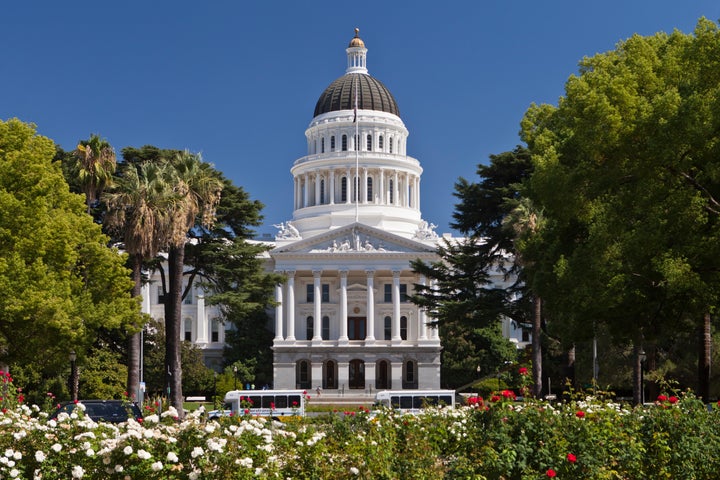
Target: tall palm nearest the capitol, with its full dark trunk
{"points": [[197, 188]]}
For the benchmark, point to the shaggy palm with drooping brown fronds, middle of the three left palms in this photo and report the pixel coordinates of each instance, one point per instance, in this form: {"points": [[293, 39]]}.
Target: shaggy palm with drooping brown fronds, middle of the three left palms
{"points": [[137, 210]]}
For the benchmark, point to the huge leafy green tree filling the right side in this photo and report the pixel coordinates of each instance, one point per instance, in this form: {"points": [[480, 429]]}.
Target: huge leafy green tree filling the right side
{"points": [[626, 172]]}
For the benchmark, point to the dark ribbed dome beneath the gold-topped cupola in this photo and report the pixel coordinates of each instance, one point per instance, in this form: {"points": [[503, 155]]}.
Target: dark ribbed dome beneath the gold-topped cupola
{"points": [[372, 95]]}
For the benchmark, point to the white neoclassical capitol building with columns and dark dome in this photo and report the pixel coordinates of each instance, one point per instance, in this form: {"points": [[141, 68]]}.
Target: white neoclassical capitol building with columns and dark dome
{"points": [[343, 322]]}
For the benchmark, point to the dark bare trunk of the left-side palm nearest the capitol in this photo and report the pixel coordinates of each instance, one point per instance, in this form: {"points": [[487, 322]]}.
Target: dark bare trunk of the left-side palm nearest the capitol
{"points": [[173, 319]]}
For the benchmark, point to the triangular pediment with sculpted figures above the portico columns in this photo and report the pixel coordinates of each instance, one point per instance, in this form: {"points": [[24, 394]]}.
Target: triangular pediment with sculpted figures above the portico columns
{"points": [[352, 240]]}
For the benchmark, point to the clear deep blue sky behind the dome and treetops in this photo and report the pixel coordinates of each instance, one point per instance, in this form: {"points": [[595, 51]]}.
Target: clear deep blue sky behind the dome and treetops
{"points": [[238, 80]]}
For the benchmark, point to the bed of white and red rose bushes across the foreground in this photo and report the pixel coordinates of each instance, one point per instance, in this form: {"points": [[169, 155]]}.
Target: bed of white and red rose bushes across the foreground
{"points": [[675, 438]]}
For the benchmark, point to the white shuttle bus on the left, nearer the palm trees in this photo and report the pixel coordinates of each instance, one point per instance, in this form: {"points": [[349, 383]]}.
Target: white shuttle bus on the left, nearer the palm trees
{"points": [[265, 403]]}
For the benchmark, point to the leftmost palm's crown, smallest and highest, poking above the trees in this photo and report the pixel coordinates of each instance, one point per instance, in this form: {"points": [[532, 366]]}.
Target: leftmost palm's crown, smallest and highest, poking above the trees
{"points": [[95, 165]]}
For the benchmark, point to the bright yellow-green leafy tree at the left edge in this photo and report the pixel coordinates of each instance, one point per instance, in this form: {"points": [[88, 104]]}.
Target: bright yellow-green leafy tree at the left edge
{"points": [[60, 284]]}
